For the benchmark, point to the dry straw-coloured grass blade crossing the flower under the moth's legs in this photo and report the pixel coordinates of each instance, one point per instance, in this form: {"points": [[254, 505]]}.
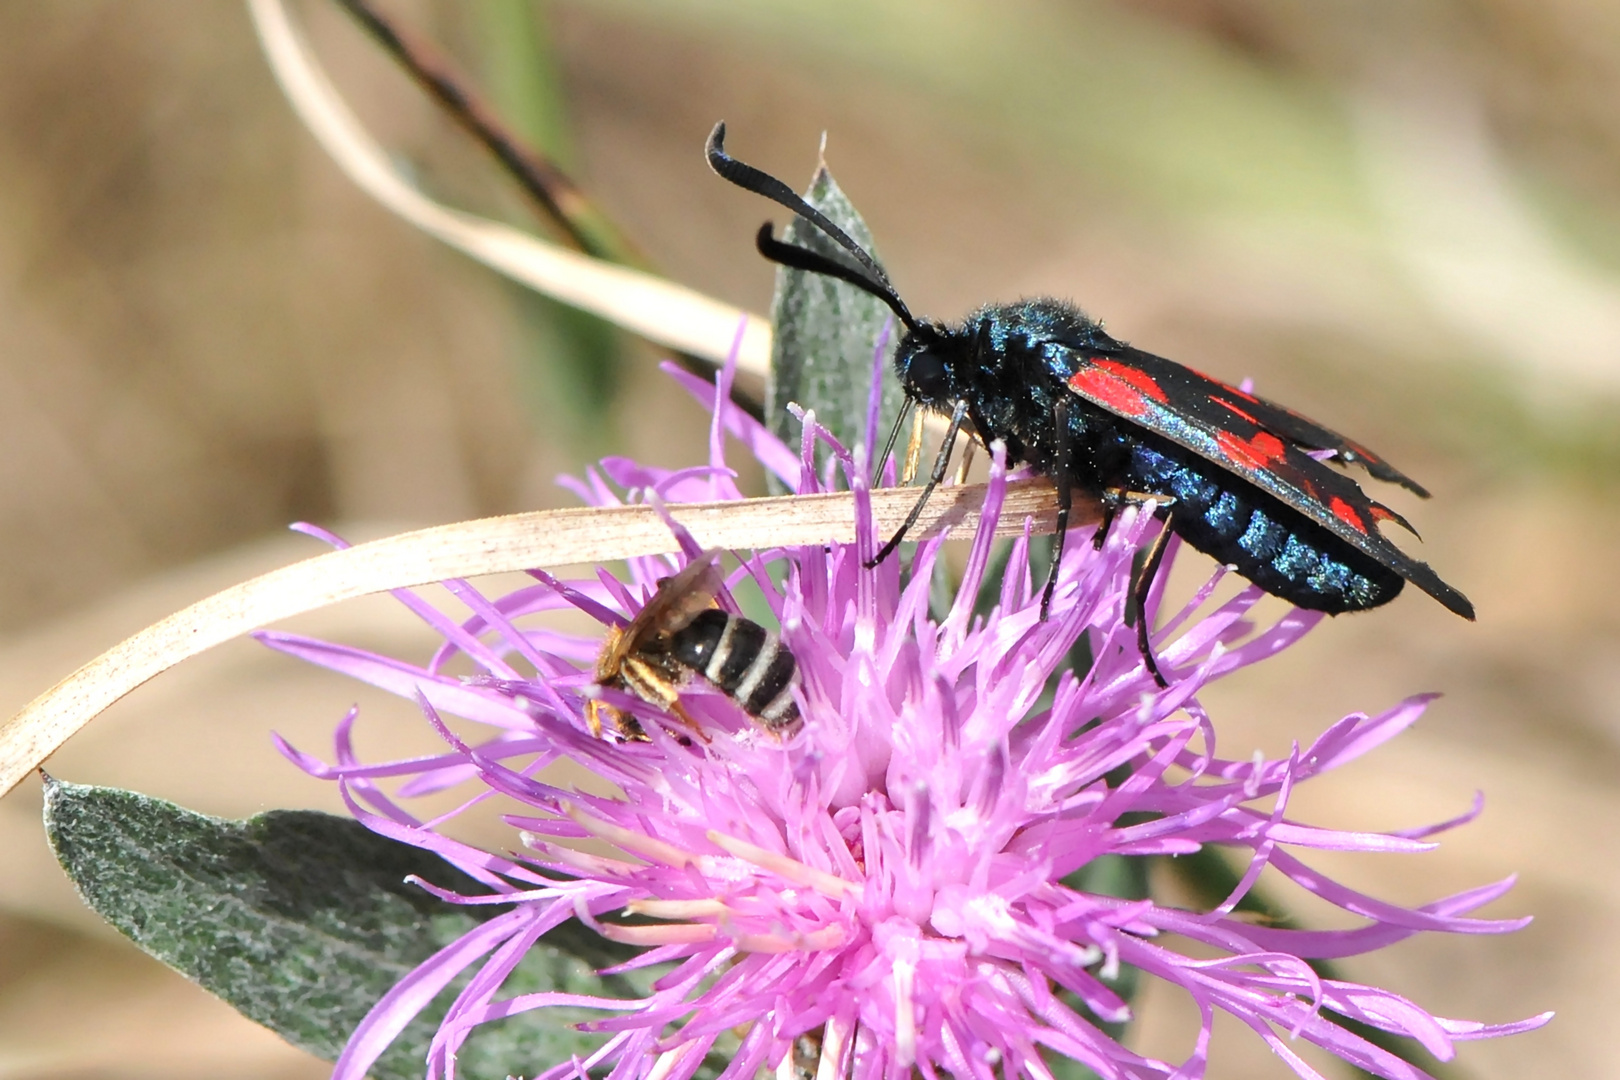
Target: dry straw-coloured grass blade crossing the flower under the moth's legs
{"points": [[548, 538]]}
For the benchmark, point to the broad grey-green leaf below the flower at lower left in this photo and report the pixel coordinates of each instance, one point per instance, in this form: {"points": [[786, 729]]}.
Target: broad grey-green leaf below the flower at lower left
{"points": [[302, 922]]}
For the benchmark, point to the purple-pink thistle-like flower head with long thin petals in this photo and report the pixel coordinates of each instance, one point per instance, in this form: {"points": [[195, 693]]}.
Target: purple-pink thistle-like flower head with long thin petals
{"points": [[890, 878]]}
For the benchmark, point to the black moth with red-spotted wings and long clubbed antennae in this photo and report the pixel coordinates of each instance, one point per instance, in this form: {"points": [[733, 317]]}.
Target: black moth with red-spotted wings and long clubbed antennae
{"points": [[1237, 477]]}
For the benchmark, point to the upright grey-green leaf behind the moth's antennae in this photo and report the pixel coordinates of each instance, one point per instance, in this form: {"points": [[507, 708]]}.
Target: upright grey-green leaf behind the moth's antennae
{"points": [[827, 334]]}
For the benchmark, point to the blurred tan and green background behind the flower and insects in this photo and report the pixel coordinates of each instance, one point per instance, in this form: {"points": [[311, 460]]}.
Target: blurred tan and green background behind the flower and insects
{"points": [[1399, 216]]}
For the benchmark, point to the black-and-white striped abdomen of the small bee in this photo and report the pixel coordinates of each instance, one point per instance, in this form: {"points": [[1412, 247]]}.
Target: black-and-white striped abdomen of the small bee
{"points": [[744, 660]]}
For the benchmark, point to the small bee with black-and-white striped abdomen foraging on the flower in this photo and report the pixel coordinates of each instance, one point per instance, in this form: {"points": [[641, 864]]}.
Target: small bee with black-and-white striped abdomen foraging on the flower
{"points": [[680, 636]]}
